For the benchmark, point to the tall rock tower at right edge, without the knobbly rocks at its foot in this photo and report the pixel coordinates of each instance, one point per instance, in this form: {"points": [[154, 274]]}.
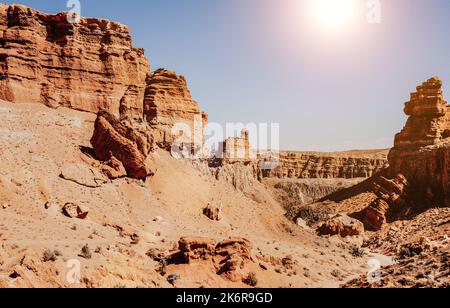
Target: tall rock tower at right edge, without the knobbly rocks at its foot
{"points": [[422, 150]]}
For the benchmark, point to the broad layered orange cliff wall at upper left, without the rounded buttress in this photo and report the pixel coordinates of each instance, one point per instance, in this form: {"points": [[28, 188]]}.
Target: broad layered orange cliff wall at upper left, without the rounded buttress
{"points": [[86, 66]]}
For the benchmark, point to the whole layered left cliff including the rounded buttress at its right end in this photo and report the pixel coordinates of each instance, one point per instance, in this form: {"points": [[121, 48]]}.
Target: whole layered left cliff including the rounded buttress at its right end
{"points": [[91, 66]]}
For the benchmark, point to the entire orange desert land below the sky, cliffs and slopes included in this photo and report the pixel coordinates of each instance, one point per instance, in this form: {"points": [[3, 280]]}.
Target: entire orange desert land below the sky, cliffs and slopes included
{"points": [[91, 194]]}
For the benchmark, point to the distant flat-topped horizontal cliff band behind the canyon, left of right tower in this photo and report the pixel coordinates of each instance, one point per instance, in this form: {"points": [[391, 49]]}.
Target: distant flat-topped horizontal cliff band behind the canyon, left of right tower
{"points": [[346, 165]]}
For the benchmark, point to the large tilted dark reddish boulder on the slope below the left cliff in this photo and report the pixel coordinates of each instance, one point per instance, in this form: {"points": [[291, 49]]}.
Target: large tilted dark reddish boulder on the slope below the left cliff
{"points": [[114, 139]]}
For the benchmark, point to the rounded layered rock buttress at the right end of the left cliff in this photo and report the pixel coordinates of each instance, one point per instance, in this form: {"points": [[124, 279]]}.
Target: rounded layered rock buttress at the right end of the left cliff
{"points": [[168, 102]]}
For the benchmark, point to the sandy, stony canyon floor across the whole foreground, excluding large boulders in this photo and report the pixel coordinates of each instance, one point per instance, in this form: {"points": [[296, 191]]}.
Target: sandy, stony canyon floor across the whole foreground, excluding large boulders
{"points": [[132, 225]]}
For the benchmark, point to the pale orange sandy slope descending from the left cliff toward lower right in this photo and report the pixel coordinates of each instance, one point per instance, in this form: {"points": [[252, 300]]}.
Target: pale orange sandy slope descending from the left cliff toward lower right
{"points": [[38, 143]]}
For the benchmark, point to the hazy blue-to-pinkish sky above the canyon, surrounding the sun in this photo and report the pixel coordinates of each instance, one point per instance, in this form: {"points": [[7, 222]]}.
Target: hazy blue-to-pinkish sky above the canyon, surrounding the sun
{"points": [[269, 61]]}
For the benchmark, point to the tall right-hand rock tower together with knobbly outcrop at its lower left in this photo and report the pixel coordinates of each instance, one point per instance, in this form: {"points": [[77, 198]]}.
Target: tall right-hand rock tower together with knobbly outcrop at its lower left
{"points": [[419, 161]]}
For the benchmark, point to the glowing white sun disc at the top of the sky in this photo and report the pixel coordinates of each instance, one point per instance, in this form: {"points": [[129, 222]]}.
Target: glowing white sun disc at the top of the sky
{"points": [[332, 15]]}
